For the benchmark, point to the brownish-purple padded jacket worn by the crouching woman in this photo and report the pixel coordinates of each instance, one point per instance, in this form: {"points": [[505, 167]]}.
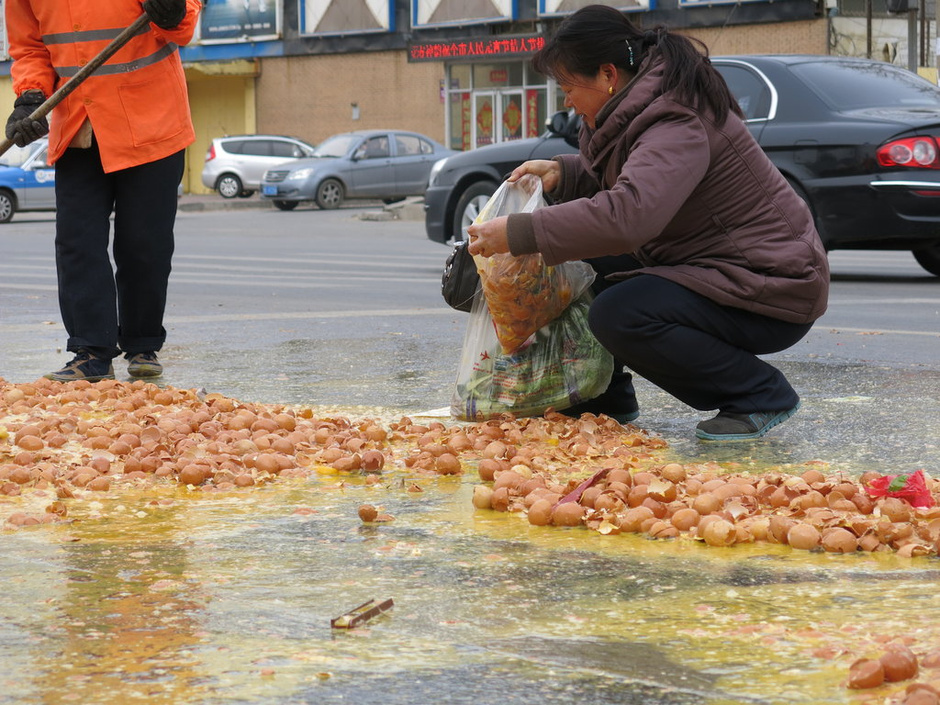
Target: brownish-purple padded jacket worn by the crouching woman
{"points": [[695, 203]]}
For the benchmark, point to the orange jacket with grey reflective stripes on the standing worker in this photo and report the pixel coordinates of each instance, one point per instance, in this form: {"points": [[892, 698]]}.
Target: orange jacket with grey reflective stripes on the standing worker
{"points": [[137, 101]]}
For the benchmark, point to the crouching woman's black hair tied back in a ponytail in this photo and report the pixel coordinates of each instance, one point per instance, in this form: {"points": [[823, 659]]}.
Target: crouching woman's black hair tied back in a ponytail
{"points": [[599, 34]]}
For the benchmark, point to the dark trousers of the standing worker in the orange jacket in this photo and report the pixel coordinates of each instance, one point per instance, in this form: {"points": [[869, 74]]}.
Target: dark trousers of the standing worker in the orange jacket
{"points": [[120, 308]]}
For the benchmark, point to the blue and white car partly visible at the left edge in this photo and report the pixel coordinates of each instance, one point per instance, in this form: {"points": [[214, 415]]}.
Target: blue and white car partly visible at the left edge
{"points": [[27, 183]]}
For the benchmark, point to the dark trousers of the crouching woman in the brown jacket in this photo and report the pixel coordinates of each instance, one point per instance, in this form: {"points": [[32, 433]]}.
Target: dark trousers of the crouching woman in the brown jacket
{"points": [[700, 352]]}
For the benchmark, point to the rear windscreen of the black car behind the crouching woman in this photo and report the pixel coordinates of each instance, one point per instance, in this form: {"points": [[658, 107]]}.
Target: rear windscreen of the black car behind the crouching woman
{"points": [[853, 86]]}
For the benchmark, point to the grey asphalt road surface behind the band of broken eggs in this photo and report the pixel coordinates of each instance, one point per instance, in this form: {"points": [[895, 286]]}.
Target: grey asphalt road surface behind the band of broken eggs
{"points": [[342, 310]]}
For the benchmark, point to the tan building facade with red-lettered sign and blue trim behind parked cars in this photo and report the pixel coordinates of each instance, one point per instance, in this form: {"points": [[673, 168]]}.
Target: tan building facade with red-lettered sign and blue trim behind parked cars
{"points": [[456, 70]]}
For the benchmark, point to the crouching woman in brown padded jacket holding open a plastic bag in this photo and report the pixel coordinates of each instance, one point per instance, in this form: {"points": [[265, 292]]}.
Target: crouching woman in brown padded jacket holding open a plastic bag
{"points": [[706, 258]]}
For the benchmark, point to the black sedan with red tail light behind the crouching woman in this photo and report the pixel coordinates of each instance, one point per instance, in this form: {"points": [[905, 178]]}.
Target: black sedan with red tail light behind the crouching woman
{"points": [[859, 140]]}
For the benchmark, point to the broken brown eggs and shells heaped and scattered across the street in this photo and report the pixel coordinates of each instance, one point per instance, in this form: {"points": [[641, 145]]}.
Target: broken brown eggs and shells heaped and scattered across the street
{"points": [[72, 441]]}
